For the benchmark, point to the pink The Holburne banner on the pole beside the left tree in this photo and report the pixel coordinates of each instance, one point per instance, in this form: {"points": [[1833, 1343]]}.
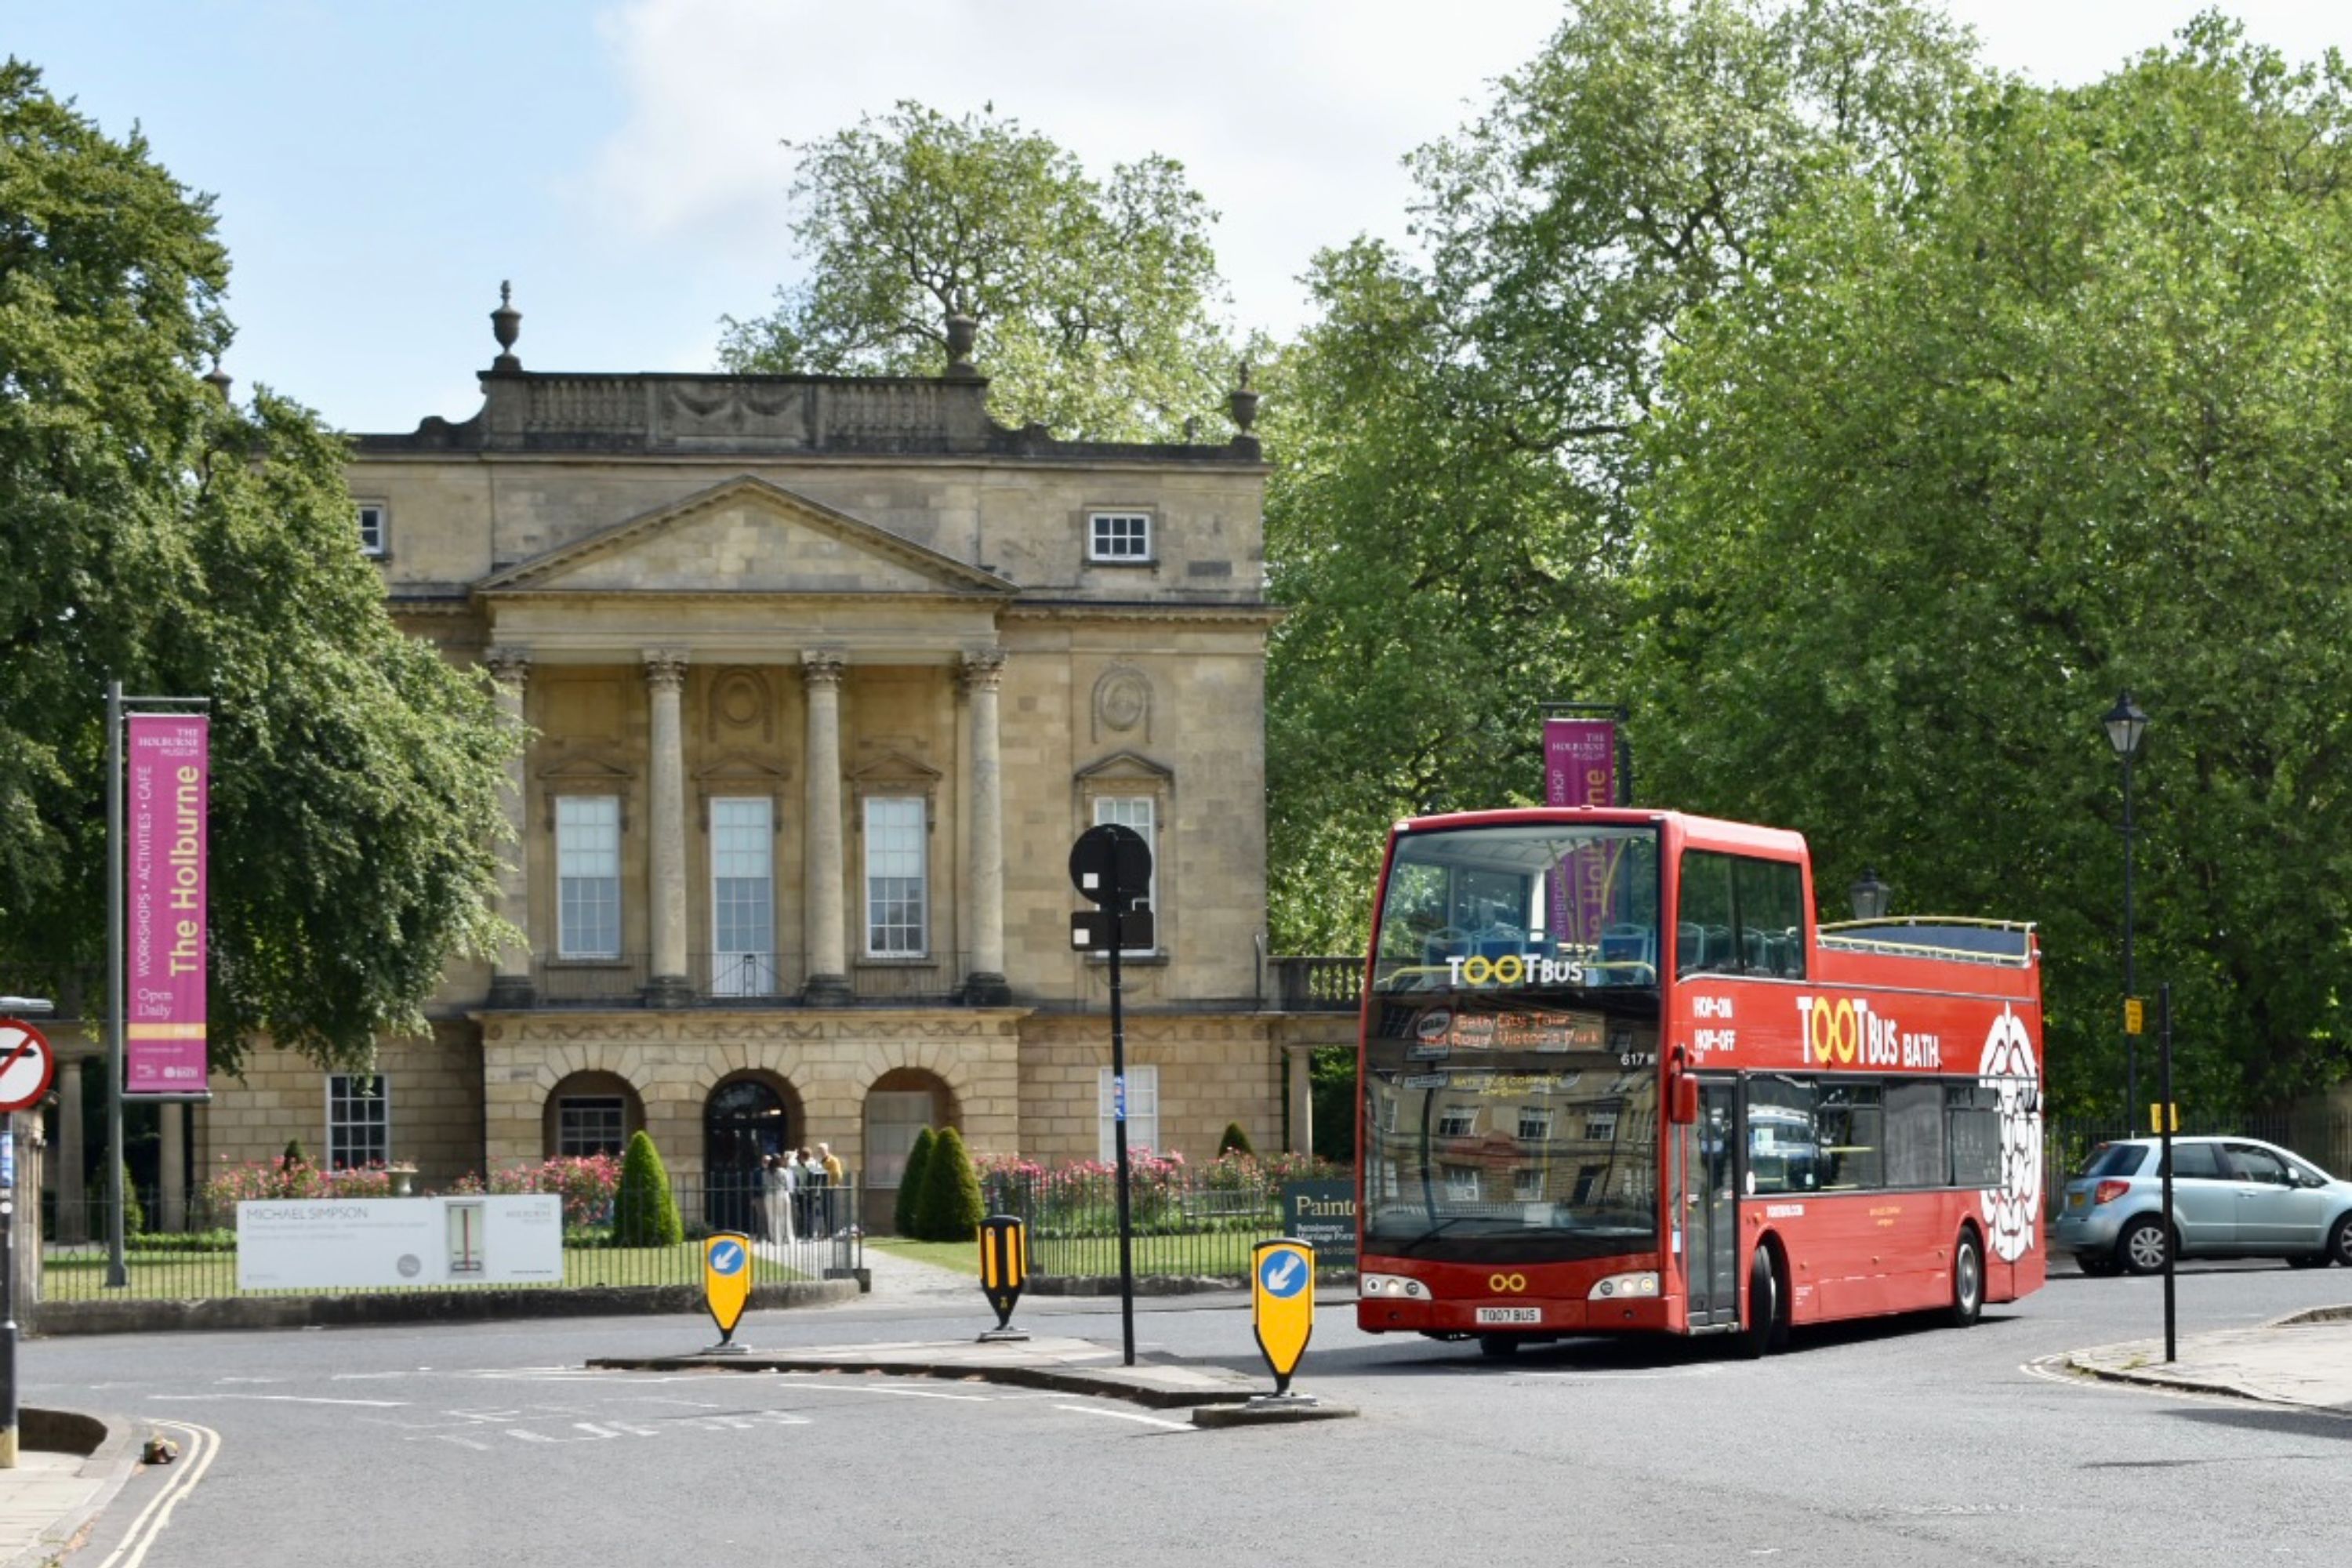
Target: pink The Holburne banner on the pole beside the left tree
{"points": [[171, 777]]}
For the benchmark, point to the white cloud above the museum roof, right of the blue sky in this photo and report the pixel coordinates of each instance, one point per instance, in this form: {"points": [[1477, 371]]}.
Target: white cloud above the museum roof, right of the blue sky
{"points": [[1290, 119]]}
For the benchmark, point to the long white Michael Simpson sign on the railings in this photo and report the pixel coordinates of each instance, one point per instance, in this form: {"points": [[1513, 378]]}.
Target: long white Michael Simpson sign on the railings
{"points": [[323, 1245]]}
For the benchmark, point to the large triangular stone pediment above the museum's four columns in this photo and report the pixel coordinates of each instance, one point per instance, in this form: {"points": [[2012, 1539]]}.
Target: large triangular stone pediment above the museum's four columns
{"points": [[747, 537]]}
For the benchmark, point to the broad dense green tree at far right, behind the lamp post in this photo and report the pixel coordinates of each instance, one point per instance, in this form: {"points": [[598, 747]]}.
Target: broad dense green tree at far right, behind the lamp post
{"points": [[2059, 415]]}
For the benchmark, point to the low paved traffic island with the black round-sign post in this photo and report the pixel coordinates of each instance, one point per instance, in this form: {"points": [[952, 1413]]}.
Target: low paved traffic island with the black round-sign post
{"points": [[1048, 1362]]}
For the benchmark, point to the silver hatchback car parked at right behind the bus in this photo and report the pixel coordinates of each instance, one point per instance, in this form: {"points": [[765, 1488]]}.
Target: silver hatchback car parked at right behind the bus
{"points": [[2233, 1198]]}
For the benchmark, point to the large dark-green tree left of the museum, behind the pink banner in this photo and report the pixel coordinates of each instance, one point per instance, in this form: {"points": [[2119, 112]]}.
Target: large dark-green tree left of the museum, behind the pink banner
{"points": [[159, 535]]}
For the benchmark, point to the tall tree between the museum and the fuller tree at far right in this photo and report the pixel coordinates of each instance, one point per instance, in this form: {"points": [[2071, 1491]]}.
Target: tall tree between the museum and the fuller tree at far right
{"points": [[1457, 434]]}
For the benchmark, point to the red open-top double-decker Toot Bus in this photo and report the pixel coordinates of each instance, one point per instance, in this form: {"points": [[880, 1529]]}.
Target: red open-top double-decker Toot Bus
{"points": [[1617, 1078]]}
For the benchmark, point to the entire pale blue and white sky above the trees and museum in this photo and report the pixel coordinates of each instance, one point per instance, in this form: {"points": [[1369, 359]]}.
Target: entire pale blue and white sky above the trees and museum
{"points": [[380, 166]]}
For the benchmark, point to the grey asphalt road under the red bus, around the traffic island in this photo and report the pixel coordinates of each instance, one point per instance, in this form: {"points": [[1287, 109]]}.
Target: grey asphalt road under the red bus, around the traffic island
{"points": [[1866, 1445]]}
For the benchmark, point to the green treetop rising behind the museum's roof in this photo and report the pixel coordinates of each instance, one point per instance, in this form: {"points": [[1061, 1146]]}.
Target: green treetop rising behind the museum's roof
{"points": [[1097, 300]]}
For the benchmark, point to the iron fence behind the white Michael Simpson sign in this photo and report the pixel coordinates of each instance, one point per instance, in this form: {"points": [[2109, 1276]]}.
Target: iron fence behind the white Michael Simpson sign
{"points": [[608, 1245]]}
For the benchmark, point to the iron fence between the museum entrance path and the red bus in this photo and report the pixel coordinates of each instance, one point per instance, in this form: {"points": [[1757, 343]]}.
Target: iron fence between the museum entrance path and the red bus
{"points": [[1187, 1221]]}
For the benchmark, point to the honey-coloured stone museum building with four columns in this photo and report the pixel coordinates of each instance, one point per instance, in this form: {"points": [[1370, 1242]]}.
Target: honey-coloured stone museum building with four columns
{"points": [[822, 678]]}
